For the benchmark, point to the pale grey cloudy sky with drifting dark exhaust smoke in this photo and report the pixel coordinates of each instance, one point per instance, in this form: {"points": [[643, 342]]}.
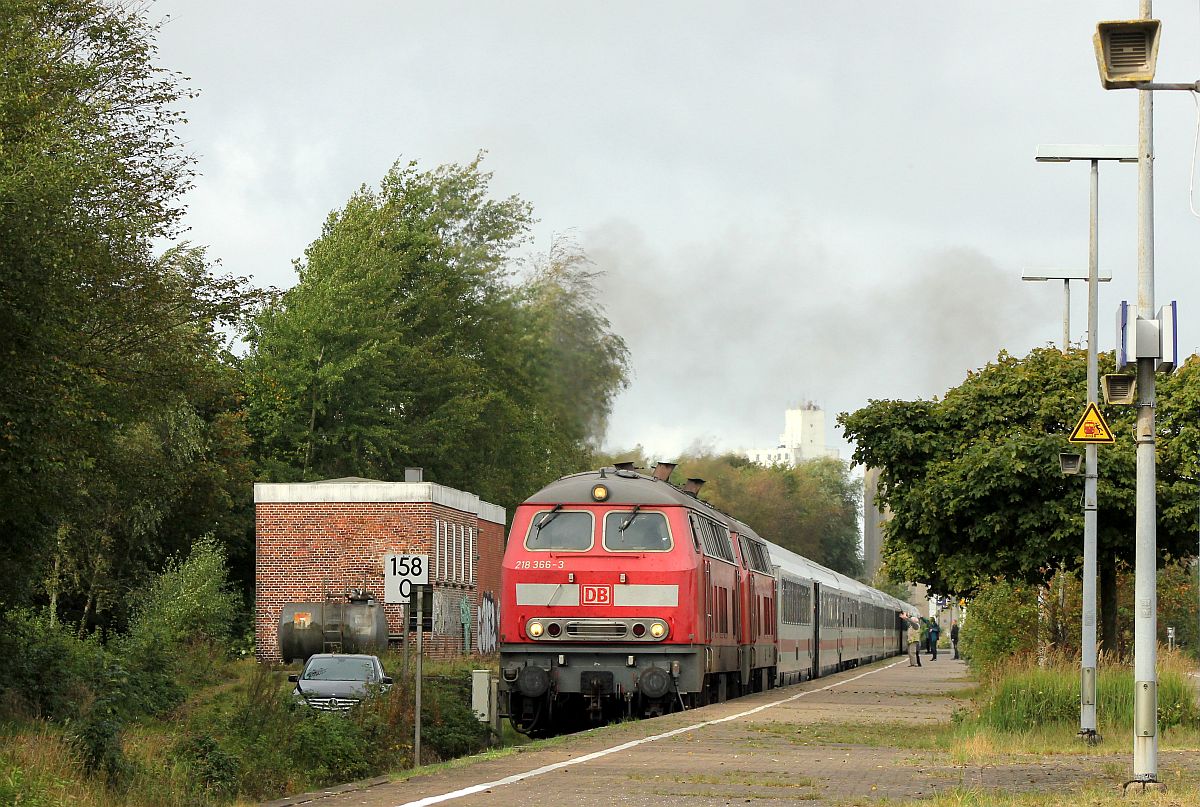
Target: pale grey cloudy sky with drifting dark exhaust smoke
{"points": [[794, 201]]}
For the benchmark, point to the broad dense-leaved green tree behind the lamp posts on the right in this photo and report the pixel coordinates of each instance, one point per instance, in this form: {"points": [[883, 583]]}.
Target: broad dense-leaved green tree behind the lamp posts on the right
{"points": [[974, 485]]}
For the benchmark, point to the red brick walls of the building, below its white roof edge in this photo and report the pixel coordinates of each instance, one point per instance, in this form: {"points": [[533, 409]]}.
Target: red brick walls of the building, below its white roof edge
{"points": [[307, 549]]}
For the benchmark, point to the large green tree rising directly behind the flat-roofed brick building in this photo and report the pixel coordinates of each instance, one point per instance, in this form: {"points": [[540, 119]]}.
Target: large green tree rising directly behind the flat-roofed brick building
{"points": [[406, 342]]}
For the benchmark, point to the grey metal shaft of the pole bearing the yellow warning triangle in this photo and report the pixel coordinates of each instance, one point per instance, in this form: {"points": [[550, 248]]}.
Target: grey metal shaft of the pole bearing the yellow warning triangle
{"points": [[1088, 643]]}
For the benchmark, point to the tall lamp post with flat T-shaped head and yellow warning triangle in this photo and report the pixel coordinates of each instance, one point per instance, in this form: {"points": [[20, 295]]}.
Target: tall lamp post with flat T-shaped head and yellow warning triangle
{"points": [[1093, 154]]}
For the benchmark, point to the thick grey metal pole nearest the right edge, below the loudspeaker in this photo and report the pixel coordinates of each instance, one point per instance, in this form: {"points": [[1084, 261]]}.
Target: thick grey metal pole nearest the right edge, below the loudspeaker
{"points": [[1145, 733]]}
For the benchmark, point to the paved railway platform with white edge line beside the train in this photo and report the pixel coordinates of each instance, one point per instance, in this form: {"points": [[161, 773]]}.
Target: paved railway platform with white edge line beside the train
{"points": [[855, 738]]}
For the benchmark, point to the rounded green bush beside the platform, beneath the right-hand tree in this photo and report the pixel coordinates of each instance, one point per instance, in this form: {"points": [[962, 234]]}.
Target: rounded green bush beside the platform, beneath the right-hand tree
{"points": [[1001, 624]]}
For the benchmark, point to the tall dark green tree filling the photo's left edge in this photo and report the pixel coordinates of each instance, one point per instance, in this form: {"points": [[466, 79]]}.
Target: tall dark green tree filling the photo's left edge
{"points": [[106, 345]]}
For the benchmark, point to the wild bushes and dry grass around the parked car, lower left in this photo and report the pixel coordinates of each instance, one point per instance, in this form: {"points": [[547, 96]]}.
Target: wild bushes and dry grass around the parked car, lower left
{"points": [[171, 714]]}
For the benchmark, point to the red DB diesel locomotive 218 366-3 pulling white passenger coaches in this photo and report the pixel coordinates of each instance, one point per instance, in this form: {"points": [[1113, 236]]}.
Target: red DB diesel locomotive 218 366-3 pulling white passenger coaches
{"points": [[623, 595]]}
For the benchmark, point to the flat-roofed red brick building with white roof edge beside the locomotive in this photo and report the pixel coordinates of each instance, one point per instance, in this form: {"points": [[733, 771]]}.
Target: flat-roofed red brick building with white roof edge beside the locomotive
{"points": [[331, 537]]}
